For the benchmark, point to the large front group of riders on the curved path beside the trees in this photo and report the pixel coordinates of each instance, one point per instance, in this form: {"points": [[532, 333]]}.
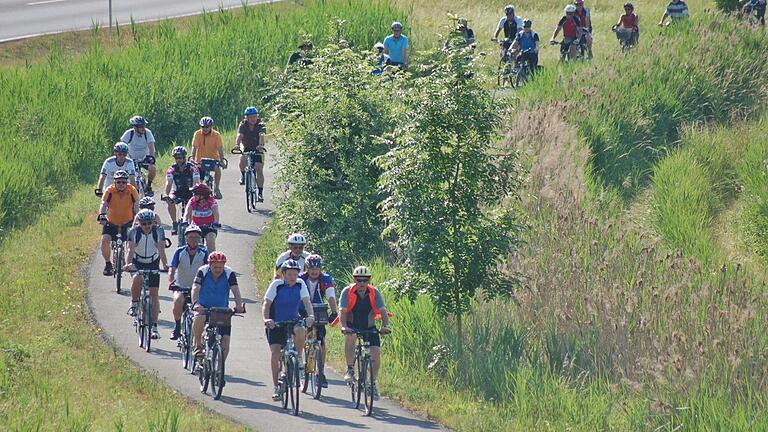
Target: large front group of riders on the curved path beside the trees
{"points": [[201, 277]]}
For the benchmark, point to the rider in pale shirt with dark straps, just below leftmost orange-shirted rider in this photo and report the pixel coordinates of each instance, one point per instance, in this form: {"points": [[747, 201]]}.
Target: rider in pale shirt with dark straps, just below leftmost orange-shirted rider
{"points": [[146, 249]]}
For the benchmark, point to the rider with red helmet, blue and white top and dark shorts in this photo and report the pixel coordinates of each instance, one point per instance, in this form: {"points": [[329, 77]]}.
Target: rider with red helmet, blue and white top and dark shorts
{"points": [[211, 288]]}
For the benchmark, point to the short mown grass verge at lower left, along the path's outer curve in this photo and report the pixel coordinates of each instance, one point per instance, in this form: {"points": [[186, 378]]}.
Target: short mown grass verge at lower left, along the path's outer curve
{"points": [[56, 372]]}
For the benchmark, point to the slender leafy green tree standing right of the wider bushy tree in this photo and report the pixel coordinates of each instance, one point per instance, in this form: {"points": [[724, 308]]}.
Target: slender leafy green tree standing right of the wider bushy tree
{"points": [[446, 183]]}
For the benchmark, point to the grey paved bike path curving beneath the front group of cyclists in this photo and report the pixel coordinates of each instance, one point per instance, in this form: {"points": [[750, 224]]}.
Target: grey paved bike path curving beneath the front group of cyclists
{"points": [[247, 393]]}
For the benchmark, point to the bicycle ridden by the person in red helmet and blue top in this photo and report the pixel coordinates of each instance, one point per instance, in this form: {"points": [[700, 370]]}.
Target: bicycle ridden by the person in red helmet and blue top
{"points": [[210, 367]]}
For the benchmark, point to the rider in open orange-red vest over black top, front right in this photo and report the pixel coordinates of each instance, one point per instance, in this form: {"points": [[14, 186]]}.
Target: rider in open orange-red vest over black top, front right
{"points": [[360, 305]]}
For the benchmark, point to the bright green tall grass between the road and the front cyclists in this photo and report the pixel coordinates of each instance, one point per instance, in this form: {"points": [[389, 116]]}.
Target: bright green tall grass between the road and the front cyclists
{"points": [[62, 117]]}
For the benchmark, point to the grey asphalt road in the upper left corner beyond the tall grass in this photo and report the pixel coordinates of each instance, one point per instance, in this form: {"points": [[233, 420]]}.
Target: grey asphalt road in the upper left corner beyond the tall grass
{"points": [[21, 19]]}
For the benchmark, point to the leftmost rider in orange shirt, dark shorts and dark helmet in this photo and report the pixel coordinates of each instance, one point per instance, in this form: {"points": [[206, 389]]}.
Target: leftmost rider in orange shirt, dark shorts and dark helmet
{"points": [[118, 205]]}
